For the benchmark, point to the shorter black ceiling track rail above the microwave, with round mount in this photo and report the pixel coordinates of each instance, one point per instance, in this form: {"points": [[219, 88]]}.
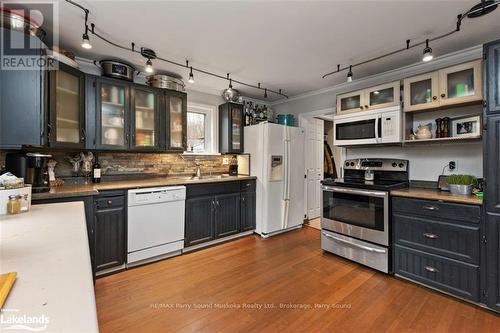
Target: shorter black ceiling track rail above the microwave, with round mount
{"points": [[481, 9]]}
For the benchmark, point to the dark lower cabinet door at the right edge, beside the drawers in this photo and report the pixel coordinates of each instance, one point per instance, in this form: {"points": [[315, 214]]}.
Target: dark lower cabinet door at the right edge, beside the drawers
{"points": [[493, 260]]}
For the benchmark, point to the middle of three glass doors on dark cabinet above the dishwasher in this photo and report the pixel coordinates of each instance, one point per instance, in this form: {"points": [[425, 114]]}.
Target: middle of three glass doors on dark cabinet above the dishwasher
{"points": [[144, 119]]}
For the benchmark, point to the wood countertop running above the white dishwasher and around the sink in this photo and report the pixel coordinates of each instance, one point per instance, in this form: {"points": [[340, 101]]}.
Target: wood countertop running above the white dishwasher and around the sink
{"points": [[68, 191]]}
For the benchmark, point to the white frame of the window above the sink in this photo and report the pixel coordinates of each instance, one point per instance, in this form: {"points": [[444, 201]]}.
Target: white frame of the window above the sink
{"points": [[211, 127]]}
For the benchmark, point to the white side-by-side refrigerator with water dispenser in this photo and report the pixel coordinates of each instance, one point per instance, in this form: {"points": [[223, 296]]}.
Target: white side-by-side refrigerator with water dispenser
{"points": [[277, 160]]}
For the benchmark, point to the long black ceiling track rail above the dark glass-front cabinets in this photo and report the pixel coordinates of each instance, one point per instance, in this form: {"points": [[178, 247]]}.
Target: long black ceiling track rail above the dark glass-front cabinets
{"points": [[93, 31]]}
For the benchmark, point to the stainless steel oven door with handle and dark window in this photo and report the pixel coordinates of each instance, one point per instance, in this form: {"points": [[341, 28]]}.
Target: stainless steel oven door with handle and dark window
{"points": [[359, 213]]}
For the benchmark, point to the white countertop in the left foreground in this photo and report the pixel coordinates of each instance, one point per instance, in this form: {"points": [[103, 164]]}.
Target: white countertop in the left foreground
{"points": [[48, 248]]}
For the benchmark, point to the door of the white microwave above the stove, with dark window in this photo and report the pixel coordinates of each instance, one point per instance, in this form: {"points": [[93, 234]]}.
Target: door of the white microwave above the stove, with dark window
{"points": [[358, 130]]}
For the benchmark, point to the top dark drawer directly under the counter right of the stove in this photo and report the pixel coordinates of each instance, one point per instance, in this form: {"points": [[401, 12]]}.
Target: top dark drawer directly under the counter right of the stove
{"points": [[437, 209]]}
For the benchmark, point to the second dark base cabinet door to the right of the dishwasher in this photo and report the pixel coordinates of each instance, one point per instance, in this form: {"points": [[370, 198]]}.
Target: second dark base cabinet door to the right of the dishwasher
{"points": [[227, 214]]}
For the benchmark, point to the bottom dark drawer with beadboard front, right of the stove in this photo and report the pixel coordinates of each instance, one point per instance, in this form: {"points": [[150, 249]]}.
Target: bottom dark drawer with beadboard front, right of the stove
{"points": [[448, 275]]}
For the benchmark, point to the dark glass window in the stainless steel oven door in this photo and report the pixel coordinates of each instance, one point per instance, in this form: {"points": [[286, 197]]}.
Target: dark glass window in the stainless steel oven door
{"points": [[355, 209]]}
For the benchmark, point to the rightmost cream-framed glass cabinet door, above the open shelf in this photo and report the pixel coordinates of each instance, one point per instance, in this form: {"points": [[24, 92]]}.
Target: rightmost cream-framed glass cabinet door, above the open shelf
{"points": [[461, 83]]}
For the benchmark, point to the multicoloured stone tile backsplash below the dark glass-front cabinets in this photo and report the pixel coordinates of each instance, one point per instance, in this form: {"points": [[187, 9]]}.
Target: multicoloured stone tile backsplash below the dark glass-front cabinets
{"points": [[114, 164]]}
